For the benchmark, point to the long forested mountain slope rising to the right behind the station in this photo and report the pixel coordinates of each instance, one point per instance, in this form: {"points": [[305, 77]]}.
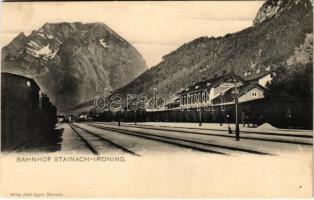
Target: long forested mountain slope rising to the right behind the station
{"points": [[282, 34]]}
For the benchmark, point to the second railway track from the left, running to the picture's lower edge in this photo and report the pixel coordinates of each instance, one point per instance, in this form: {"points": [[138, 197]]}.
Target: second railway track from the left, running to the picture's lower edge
{"points": [[182, 142]]}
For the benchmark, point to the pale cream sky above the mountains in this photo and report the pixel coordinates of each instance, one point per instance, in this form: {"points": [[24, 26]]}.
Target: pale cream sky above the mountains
{"points": [[154, 28]]}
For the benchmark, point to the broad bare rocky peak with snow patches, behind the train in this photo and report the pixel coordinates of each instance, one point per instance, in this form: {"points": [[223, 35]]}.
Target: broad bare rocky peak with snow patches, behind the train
{"points": [[73, 62]]}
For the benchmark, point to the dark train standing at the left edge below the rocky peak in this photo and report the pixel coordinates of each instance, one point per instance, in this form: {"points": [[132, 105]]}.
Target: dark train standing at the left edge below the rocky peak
{"points": [[26, 113]]}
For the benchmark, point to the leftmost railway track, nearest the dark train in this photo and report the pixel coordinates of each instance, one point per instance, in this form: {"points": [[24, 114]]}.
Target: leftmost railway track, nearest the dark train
{"points": [[89, 138]]}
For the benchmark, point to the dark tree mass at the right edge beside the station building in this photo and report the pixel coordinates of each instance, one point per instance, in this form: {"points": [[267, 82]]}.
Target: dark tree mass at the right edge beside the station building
{"points": [[289, 97]]}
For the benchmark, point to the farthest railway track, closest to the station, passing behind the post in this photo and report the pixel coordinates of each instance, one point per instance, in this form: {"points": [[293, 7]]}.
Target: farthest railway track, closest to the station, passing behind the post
{"points": [[247, 135]]}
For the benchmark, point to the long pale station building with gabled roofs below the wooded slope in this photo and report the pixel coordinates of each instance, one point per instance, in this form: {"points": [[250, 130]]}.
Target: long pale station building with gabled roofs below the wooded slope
{"points": [[212, 100]]}
